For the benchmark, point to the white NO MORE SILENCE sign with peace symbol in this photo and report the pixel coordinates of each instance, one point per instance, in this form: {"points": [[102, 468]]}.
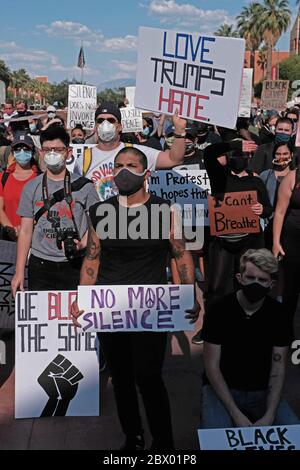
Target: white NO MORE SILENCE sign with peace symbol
{"points": [[135, 308]]}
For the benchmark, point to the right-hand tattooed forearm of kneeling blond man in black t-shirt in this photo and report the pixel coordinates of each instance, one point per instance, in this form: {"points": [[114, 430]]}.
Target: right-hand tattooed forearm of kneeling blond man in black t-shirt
{"points": [[275, 387]]}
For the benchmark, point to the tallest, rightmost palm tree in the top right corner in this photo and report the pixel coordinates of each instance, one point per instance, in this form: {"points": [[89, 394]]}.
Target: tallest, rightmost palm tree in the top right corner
{"points": [[273, 21]]}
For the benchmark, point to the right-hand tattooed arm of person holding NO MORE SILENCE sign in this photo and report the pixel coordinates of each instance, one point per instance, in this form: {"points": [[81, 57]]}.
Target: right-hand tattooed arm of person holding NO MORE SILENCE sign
{"points": [[185, 265]]}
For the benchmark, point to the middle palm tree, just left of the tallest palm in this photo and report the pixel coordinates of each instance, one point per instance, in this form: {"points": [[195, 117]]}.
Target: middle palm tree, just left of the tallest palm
{"points": [[247, 23]]}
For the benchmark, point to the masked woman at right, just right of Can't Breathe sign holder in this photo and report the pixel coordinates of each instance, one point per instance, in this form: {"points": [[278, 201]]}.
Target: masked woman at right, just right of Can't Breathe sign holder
{"points": [[282, 159]]}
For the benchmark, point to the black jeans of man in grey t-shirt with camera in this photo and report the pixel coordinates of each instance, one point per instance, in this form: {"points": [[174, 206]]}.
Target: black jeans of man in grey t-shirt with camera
{"points": [[49, 275]]}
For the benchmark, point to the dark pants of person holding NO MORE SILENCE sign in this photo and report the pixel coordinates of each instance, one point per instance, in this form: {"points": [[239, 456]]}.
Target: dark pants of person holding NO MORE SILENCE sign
{"points": [[137, 358]]}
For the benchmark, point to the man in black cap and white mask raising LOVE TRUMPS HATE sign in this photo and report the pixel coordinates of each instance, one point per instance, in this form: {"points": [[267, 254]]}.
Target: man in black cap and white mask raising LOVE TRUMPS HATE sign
{"points": [[98, 164]]}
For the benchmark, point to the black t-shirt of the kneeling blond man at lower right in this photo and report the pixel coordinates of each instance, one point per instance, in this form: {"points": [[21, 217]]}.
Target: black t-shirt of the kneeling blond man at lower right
{"points": [[246, 343]]}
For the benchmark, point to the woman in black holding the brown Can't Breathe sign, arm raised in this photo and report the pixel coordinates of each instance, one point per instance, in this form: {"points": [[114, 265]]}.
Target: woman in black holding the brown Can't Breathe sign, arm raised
{"points": [[230, 174]]}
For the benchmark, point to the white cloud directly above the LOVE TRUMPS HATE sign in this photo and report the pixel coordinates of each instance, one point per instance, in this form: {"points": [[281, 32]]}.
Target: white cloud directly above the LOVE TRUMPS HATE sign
{"points": [[188, 15]]}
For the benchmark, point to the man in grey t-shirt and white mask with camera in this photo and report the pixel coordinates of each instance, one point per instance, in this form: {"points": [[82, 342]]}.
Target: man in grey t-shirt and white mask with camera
{"points": [[53, 220]]}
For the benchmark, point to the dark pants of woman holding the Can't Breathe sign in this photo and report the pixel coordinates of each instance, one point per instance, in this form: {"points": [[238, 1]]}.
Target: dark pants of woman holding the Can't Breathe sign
{"points": [[224, 260]]}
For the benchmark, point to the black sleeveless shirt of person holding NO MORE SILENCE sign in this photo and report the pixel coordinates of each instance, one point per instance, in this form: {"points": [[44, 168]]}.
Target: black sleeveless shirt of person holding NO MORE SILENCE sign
{"points": [[126, 261]]}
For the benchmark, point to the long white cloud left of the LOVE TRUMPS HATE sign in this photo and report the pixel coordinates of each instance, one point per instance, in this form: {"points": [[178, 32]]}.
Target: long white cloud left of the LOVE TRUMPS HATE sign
{"points": [[93, 39]]}
